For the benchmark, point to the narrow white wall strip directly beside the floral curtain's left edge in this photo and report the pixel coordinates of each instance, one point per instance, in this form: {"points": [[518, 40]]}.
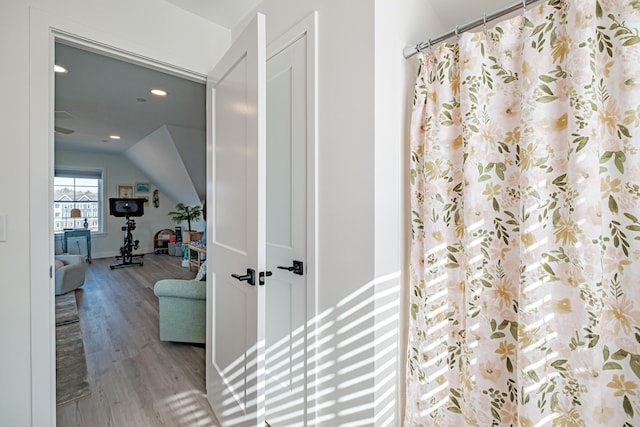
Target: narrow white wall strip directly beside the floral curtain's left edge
{"points": [[398, 23]]}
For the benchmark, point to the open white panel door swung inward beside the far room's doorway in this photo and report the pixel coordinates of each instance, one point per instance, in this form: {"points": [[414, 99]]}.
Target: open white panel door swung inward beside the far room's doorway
{"points": [[236, 240]]}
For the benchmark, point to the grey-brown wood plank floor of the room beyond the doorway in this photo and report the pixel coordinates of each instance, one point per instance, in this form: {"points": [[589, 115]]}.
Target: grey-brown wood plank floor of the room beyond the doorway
{"points": [[135, 379]]}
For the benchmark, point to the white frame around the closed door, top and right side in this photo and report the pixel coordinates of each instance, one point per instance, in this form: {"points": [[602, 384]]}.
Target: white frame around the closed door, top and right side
{"points": [[307, 28]]}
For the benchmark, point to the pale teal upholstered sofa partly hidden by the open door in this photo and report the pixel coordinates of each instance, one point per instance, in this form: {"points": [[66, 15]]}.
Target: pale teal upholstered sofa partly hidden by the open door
{"points": [[183, 313]]}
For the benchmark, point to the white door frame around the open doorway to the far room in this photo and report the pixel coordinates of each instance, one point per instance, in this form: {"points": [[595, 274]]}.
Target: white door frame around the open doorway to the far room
{"points": [[45, 29]]}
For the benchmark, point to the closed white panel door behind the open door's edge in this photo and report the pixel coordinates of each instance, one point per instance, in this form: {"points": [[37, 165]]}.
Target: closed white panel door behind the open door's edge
{"points": [[285, 363]]}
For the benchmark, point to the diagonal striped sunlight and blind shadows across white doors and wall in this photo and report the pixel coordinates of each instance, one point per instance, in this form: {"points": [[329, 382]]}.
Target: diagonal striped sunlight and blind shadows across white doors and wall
{"points": [[352, 365]]}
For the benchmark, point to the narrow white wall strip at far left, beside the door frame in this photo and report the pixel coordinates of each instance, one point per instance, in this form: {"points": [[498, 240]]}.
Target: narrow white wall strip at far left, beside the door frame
{"points": [[15, 388]]}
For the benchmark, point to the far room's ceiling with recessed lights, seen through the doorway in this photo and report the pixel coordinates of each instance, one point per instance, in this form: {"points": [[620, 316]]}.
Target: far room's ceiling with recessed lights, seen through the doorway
{"points": [[100, 96]]}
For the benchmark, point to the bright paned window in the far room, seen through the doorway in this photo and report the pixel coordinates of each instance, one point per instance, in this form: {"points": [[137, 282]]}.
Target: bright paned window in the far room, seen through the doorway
{"points": [[77, 189]]}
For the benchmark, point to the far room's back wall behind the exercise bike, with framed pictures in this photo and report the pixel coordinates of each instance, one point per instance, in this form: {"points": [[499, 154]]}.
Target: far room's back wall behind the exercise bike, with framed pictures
{"points": [[117, 170]]}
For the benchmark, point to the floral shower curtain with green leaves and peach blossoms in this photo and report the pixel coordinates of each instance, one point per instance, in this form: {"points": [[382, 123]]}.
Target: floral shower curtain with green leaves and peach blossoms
{"points": [[525, 265]]}
